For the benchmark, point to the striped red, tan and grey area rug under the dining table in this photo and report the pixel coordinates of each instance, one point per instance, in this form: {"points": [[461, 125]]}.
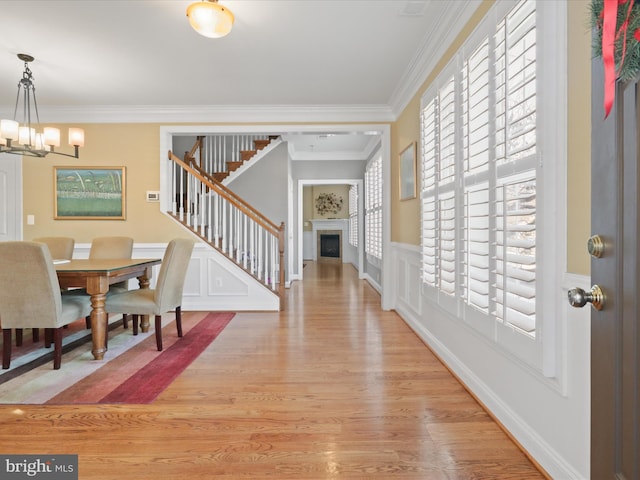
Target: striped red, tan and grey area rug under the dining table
{"points": [[132, 371]]}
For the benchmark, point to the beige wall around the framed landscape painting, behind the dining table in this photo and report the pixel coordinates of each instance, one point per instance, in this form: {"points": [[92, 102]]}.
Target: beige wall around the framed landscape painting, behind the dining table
{"points": [[135, 146]]}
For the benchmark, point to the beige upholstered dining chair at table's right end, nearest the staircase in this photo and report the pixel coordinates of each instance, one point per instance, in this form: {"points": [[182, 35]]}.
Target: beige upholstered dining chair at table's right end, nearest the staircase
{"points": [[167, 294]]}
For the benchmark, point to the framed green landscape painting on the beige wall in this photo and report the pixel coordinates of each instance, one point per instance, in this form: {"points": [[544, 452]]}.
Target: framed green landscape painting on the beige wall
{"points": [[89, 193]]}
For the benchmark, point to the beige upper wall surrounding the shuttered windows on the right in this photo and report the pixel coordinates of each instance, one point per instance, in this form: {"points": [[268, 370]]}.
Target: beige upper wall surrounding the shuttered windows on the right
{"points": [[405, 215]]}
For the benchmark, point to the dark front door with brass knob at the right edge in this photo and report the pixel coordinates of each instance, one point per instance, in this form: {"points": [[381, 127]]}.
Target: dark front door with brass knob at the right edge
{"points": [[615, 330]]}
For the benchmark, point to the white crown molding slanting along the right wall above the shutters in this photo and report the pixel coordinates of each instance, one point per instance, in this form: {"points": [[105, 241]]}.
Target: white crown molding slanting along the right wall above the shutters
{"points": [[453, 17]]}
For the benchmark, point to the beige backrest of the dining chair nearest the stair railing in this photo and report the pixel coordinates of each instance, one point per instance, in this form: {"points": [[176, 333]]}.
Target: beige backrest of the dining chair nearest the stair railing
{"points": [[173, 271]]}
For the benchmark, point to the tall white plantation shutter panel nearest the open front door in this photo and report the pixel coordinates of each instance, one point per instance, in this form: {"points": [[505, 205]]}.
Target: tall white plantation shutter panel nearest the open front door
{"points": [[516, 167]]}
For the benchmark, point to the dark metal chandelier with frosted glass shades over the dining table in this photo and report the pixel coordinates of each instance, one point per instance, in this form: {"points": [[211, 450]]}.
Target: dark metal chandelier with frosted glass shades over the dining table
{"points": [[24, 138]]}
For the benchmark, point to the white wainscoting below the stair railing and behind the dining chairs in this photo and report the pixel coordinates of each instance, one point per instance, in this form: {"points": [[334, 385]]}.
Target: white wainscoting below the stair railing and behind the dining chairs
{"points": [[213, 282]]}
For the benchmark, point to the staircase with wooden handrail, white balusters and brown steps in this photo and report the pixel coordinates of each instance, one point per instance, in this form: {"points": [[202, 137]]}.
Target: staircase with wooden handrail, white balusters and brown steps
{"points": [[205, 206]]}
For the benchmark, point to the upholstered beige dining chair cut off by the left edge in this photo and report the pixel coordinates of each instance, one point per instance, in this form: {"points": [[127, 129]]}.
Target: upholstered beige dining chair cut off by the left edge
{"points": [[30, 296]]}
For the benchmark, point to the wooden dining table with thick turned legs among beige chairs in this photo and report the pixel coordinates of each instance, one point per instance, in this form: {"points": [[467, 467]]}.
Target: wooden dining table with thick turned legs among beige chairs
{"points": [[95, 276]]}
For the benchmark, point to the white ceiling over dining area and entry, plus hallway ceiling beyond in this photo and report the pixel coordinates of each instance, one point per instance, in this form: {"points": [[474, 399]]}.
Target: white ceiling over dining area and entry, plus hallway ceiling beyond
{"points": [[285, 60]]}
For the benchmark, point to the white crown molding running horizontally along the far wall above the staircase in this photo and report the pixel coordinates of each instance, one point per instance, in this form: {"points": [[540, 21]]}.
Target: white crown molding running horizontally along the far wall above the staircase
{"points": [[210, 113]]}
